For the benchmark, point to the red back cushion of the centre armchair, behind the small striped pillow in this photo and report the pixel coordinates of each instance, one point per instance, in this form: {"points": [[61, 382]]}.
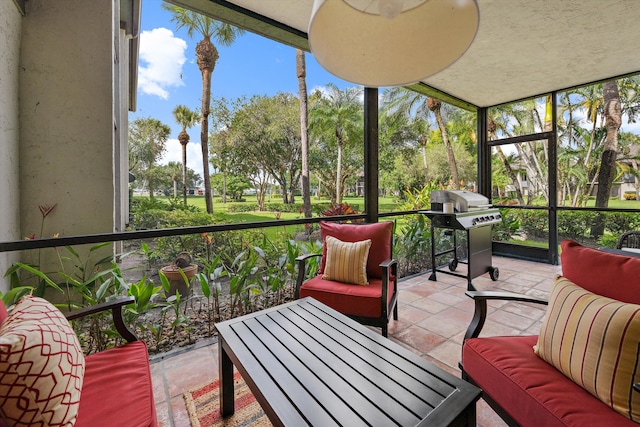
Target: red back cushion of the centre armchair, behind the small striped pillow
{"points": [[379, 233]]}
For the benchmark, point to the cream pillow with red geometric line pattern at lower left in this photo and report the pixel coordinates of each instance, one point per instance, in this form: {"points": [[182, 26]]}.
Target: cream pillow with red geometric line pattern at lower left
{"points": [[41, 366]]}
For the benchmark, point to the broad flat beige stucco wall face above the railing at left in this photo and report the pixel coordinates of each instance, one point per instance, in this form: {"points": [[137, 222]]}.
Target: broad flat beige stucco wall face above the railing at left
{"points": [[66, 117]]}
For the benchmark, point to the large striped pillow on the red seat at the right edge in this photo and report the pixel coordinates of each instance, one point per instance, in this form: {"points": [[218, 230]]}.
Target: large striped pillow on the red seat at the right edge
{"points": [[595, 341]]}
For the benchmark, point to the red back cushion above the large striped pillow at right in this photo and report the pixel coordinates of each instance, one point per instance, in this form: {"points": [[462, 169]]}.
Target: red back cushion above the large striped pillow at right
{"points": [[603, 273]]}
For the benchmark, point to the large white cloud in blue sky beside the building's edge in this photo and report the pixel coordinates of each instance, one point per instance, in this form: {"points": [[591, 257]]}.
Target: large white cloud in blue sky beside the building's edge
{"points": [[161, 60]]}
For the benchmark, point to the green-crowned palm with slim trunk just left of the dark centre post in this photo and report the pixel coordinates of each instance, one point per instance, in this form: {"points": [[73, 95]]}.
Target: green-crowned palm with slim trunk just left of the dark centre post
{"points": [[339, 113]]}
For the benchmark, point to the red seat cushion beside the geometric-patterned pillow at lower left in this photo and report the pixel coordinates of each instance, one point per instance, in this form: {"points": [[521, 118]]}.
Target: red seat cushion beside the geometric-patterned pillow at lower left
{"points": [[117, 388]]}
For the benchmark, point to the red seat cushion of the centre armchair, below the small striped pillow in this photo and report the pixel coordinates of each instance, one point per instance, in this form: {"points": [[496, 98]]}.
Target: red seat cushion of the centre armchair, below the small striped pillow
{"points": [[348, 299]]}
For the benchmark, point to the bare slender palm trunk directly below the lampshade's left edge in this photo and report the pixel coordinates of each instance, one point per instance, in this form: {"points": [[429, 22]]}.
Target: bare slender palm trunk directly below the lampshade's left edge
{"points": [[301, 71]]}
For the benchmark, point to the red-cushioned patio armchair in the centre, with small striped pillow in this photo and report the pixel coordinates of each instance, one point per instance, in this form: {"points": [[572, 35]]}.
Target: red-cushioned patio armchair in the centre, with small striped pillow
{"points": [[357, 275]]}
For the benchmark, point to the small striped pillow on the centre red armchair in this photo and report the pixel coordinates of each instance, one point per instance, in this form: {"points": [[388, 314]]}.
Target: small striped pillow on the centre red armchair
{"points": [[347, 261]]}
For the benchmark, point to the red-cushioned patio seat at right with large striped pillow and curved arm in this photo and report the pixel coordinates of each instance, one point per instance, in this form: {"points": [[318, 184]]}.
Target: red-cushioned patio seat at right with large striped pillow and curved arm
{"points": [[590, 337]]}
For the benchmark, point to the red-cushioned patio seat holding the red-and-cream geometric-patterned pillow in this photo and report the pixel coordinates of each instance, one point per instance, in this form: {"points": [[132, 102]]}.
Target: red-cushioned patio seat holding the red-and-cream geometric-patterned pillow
{"points": [[45, 380]]}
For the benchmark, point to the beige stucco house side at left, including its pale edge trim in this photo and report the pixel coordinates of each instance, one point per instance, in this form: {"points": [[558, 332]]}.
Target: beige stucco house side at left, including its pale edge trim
{"points": [[68, 71]]}
